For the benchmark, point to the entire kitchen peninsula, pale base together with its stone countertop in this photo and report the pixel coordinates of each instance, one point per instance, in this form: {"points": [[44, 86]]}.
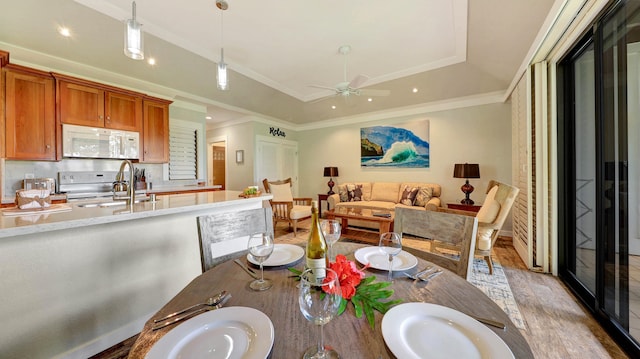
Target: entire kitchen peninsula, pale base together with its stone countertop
{"points": [[83, 280]]}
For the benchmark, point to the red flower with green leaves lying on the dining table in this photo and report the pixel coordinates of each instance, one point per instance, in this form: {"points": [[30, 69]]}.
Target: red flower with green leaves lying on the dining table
{"points": [[360, 290]]}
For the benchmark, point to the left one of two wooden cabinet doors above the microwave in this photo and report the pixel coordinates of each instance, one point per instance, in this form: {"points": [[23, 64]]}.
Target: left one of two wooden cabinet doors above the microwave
{"points": [[81, 105]]}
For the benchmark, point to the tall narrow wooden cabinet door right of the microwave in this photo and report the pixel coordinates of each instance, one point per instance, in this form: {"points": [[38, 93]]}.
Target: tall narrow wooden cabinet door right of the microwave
{"points": [[155, 138]]}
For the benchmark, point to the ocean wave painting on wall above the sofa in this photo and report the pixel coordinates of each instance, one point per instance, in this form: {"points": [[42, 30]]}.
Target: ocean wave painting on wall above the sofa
{"points": [[405, 145]]}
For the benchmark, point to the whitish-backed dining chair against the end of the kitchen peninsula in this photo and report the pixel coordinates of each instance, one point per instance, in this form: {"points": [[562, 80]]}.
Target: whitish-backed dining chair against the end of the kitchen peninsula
{"points": [[217, 231]]}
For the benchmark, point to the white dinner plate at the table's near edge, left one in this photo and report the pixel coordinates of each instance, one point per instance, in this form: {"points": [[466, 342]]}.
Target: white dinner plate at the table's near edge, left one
{"points": [[231, 332]]}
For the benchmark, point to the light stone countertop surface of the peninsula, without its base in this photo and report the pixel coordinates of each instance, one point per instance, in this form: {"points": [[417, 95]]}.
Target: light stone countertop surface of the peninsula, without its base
{"points": [[77, 217]]}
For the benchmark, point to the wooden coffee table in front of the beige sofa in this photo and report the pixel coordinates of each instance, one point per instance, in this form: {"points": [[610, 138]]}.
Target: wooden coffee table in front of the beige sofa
{"points": [[385, 224]]}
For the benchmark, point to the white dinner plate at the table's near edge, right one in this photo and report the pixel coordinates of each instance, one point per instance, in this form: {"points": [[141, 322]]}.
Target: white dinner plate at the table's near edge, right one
{"points": [[423, 330]]}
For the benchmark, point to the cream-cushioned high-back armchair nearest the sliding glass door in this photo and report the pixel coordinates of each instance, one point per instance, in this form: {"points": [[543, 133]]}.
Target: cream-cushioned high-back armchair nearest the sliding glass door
{"points": [[491, 216]]}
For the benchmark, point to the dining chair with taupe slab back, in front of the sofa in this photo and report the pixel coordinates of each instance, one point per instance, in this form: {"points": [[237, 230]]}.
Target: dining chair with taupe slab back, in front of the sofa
{"points": [[455, 229]]}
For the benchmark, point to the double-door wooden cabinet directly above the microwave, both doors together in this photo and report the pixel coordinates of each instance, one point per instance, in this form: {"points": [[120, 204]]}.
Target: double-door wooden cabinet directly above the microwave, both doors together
{"points": [[85, 103]]}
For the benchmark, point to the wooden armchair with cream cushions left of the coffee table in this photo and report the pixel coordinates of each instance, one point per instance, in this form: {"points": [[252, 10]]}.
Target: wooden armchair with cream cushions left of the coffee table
{"points": [[285, 207]]}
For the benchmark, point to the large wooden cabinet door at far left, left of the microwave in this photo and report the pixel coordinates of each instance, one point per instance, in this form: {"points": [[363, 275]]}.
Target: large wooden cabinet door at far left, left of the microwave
{"points": [[30, 116]]}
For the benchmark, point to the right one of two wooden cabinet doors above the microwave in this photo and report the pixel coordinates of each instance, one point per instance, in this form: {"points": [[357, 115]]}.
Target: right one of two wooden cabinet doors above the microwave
{"points": [[123, 112]]}
